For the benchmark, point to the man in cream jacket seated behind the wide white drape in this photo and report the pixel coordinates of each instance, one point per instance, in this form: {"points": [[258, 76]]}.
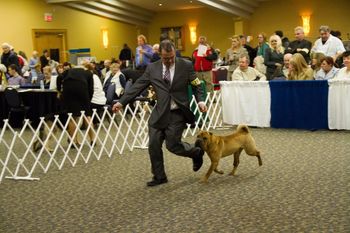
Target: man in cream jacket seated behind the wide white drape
{"points": [[246, 73]]}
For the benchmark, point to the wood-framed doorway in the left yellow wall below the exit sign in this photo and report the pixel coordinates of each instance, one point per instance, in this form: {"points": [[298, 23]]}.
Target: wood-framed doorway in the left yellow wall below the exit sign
{"points": [[54, 40]]}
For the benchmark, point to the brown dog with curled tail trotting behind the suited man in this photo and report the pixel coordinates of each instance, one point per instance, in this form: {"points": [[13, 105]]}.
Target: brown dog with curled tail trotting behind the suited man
{"points": [[218, 147]]}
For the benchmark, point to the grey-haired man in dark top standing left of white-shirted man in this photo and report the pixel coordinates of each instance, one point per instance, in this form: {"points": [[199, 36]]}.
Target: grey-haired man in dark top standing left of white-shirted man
{"points": [[300, 45]]}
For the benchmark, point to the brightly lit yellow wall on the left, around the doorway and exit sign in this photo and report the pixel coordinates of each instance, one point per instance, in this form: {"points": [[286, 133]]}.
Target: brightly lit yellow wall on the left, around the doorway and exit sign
{"points": [[19, 17]]}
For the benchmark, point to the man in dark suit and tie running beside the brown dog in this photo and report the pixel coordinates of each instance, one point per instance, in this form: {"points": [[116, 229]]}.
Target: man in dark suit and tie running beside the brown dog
{"points": [[170, 77]]}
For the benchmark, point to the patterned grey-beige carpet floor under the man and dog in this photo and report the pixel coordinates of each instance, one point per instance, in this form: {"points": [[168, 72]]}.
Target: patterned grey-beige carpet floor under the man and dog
{"points": [[303, 186]]}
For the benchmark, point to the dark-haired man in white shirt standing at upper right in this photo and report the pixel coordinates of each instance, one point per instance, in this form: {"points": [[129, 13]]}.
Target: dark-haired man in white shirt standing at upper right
{"points": [[328, 44]]}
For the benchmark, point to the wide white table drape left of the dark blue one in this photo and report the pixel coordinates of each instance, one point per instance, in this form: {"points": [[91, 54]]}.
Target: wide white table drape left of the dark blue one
{"points": [[246, 102]]}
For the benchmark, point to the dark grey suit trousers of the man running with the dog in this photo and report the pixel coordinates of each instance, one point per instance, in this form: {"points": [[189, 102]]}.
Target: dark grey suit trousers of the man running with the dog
{"points": [[172, 136]]}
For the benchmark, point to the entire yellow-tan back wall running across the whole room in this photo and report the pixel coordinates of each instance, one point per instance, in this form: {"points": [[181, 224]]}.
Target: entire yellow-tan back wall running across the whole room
{"points": [[19, 17]]}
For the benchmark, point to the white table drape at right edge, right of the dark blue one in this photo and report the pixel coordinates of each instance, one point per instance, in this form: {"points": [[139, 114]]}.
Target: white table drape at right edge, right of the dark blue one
{"points": [[339, 104]]}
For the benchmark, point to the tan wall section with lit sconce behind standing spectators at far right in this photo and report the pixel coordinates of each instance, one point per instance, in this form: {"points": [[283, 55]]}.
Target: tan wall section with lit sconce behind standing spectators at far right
{"points": [[286, 15]]}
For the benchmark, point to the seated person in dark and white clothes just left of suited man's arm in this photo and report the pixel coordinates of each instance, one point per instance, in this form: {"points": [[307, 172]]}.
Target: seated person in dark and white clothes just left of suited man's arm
{"points": [[114, 84]]}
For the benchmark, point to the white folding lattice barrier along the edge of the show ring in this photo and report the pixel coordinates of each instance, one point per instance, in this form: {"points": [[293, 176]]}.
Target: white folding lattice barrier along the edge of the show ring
{"points": [[114, 133]]}
